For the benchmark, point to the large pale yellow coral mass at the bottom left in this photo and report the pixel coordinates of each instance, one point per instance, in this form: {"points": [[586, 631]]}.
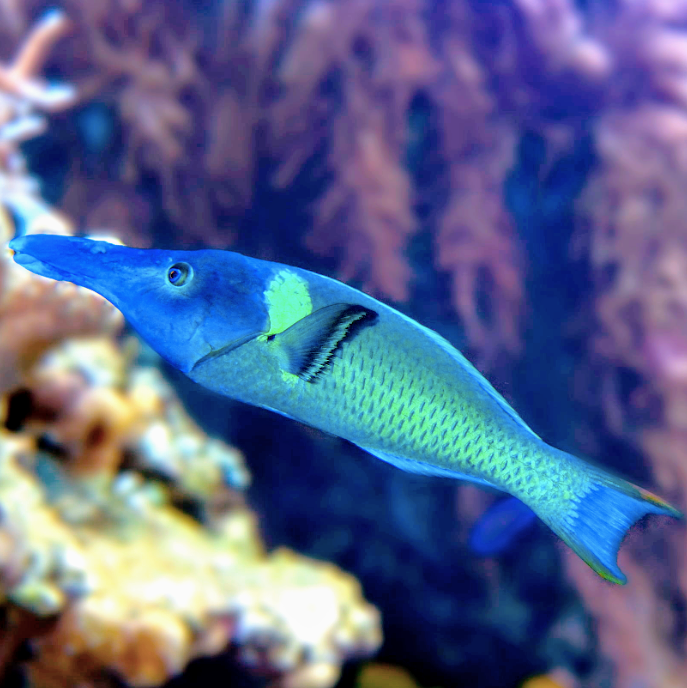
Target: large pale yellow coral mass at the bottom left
{"points": [[141, 589]]}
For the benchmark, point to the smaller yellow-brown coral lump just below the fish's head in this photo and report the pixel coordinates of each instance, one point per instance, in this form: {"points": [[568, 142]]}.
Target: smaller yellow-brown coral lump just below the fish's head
{"points": [[85, 396]]}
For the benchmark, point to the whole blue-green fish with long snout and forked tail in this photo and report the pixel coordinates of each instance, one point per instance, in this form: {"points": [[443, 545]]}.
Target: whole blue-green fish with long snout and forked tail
{"points": [[323, 353]]}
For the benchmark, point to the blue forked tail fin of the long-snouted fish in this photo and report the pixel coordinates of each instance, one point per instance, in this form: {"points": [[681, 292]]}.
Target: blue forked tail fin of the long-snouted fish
{"points": [[596, 526]]}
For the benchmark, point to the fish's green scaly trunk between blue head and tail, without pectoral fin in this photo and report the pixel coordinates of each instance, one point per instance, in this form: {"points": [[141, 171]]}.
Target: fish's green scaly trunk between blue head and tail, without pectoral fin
{"points": [[406, 395]]}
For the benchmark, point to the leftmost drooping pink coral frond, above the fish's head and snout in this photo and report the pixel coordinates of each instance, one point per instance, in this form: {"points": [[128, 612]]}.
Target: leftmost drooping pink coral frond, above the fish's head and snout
{"points": [[145, 63]]}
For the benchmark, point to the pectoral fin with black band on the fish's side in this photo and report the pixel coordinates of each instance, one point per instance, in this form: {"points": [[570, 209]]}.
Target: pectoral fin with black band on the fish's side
{"points": [[308, 345]]}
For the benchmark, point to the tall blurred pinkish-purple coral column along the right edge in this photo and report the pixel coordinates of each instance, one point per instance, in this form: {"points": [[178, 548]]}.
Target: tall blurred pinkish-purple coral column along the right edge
{"points": [[632, 223]]}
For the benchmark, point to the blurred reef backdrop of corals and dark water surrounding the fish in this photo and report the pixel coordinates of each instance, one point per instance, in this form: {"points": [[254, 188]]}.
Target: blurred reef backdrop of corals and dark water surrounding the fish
{"points": [[510, 173]]}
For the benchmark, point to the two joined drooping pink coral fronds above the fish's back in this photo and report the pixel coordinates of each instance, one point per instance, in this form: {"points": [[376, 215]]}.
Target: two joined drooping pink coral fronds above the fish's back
{"points": [[384, 59]]}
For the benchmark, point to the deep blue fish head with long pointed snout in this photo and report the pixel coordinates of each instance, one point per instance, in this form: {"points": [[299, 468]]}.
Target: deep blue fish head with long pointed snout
{"points": [[188, 305]]}
